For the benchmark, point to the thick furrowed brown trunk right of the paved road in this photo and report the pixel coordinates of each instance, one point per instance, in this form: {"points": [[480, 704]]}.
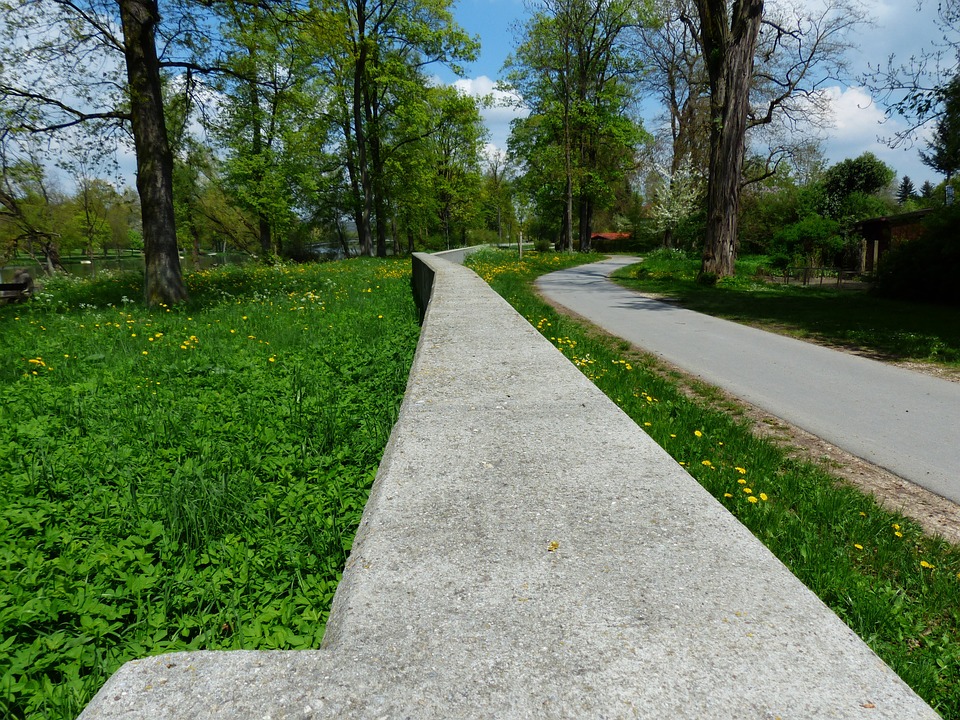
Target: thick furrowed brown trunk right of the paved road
{"points": [[729, 42]]}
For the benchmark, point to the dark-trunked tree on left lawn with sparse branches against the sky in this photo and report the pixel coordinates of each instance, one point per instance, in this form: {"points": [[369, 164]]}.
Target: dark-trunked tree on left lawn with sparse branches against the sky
{"points": [[61, 67]]}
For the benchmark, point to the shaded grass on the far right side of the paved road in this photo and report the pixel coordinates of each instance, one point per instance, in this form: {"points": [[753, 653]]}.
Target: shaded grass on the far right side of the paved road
{"points": [[850, 318]]}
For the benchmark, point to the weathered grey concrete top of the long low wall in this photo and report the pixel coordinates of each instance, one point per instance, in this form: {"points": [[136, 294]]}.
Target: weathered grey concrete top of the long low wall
{"points": [[527, 551]]}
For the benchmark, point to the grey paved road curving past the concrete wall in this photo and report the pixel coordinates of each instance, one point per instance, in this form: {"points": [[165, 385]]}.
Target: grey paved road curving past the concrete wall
{"points": [[906, 422]]}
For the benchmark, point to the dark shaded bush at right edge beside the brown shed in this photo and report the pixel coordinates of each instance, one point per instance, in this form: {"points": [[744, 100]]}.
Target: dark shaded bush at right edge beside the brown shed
{"points": [[927, 268]]}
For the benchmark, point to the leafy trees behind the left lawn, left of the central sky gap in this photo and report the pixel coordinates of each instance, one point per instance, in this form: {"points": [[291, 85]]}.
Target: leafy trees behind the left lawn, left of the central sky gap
{"points": [[265, 126]]}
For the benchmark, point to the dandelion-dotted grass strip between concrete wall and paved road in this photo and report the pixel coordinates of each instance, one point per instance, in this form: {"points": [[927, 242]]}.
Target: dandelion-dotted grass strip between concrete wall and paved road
{"points": [[895, 587]]}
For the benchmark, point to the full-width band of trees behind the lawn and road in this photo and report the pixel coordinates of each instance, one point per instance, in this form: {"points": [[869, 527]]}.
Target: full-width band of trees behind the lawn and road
{"points": [[270, 126]]}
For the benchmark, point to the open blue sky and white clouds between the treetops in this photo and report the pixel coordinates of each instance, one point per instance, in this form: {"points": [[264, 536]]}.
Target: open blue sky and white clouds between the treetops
{"points": [[901, 27]]}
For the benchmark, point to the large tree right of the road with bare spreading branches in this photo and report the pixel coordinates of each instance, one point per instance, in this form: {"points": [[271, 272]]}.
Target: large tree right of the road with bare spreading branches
{"points": [[707, 57]]}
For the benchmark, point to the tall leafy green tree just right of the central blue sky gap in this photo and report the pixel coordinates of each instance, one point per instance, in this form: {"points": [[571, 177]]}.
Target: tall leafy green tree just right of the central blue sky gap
{"points": [[575, 72]]}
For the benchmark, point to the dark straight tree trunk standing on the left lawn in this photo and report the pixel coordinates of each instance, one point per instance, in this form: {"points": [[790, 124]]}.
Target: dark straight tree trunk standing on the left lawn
{"points": [[163, 280]]}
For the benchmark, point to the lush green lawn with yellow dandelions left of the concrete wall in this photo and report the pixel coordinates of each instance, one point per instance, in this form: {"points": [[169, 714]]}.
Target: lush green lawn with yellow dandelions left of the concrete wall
{"points": [[189, 477]]}
